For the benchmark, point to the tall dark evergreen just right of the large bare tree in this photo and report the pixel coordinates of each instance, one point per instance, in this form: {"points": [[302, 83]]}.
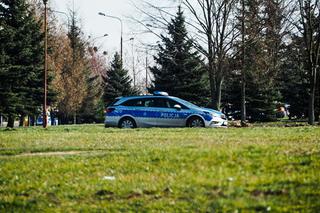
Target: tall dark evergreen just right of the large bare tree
{"points": [[263, 28]]}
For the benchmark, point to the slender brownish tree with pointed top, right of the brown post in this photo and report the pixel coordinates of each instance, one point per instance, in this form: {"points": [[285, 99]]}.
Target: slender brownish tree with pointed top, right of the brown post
{"points": [[72, 73]]}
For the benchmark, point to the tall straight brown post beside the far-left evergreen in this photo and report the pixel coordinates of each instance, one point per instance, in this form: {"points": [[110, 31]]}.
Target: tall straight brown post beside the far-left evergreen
{"points": [[44, 116]]}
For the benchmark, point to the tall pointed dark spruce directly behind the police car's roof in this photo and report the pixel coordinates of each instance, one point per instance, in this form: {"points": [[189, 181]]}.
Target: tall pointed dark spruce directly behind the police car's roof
{"points": [[180, 70]]}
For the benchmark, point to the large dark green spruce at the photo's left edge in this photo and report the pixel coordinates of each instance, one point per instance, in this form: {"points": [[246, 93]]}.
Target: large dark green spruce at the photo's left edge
{"points": [[21, 60]]}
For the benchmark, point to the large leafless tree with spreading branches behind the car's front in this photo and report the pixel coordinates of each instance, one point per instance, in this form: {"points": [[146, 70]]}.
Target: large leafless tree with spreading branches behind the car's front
{"points": [[216, 20]]}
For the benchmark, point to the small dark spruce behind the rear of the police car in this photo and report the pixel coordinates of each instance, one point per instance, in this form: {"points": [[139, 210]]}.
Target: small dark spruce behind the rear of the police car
{"points": [[117, 81]]}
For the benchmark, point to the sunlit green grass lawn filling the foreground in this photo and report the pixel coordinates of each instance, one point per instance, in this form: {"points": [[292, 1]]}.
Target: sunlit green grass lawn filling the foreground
{"points": [[90, 168]]}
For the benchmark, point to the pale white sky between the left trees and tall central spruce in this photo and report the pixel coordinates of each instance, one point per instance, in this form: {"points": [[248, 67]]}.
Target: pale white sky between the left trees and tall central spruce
{"points": [[96, 26]]}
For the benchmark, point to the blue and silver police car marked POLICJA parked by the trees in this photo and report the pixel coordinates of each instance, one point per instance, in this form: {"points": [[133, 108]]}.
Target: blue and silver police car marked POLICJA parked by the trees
{"points": [[160, 110]]}
